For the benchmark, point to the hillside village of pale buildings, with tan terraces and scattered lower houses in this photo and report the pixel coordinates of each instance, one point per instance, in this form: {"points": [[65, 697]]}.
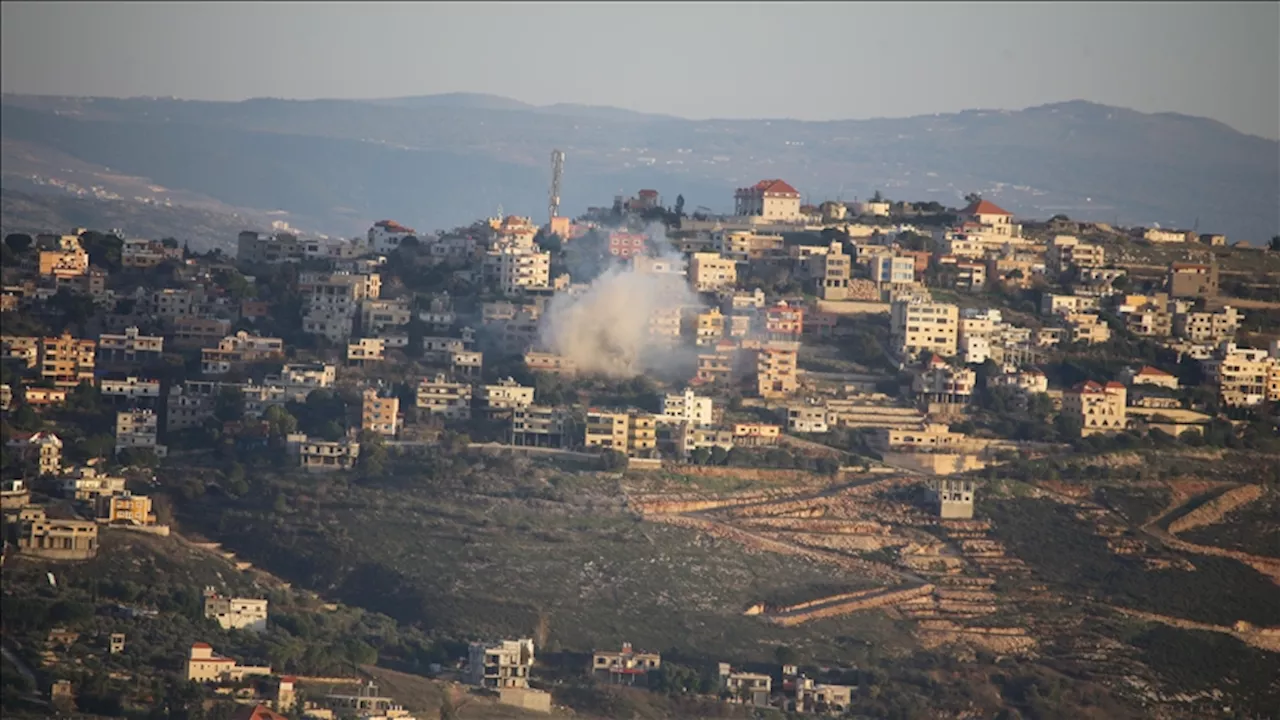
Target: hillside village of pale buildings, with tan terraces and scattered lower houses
{"points": [[909, 349]]}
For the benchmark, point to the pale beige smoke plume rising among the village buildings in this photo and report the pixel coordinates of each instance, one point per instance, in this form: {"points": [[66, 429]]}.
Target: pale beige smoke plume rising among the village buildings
{"points": [[606, 329]]}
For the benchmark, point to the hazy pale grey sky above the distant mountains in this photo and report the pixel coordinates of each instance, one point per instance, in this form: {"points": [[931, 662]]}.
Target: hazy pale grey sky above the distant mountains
{"points": [[819, 61]]}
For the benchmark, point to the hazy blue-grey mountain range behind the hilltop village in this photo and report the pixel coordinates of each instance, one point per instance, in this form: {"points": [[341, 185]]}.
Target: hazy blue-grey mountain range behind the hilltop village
{"points": [[444, 161]]}
